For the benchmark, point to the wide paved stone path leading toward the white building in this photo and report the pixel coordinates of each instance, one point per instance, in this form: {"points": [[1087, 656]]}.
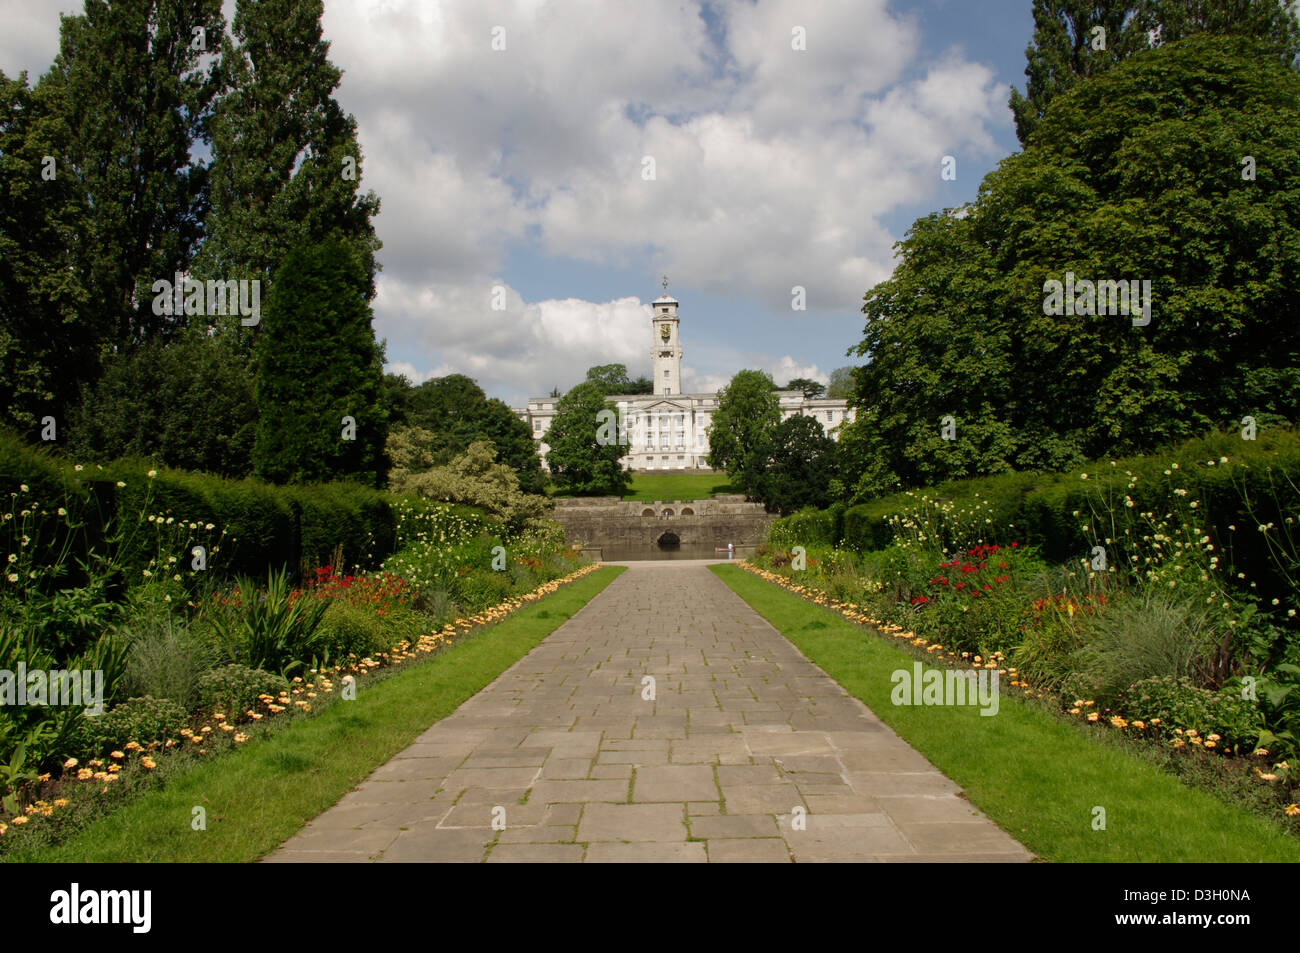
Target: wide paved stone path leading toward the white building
{"points": [[742, 733]]}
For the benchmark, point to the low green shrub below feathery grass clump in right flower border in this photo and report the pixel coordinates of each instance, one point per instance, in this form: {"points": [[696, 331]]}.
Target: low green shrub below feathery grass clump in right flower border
{"points": [[1180, 704]]}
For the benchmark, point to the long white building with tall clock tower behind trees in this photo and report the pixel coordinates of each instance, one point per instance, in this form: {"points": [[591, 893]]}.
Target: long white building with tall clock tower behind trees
{"points": [[670, 430]]}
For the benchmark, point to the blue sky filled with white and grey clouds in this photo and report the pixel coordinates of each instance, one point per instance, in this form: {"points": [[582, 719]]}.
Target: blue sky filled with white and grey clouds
{"points": [[527, 168]]}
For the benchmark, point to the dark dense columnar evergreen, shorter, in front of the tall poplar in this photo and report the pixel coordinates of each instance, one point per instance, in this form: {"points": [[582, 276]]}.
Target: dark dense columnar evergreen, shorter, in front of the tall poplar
{"points": [[320, 374]]}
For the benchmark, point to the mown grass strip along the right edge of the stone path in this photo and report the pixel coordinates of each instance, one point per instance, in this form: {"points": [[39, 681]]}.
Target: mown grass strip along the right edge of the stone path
{"points": [[1035, 776]]}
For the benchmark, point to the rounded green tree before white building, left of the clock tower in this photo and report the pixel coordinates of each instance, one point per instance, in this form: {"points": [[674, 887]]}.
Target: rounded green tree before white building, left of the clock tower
{"points": [[582, 460]]}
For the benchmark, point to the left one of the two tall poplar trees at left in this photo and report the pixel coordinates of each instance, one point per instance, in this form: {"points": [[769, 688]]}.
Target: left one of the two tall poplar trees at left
{"points": [[133, 85]]}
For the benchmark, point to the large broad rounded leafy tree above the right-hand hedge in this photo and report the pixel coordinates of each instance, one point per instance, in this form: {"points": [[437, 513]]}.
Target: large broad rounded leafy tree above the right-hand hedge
{"points": [[960, 328]]}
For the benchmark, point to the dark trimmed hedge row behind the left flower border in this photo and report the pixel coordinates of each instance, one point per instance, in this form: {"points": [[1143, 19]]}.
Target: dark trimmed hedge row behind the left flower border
{"points": [[267, 526]]}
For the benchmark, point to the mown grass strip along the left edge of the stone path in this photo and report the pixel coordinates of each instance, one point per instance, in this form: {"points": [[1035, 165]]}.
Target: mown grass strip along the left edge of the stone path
{"points": [[261, 795]]}
